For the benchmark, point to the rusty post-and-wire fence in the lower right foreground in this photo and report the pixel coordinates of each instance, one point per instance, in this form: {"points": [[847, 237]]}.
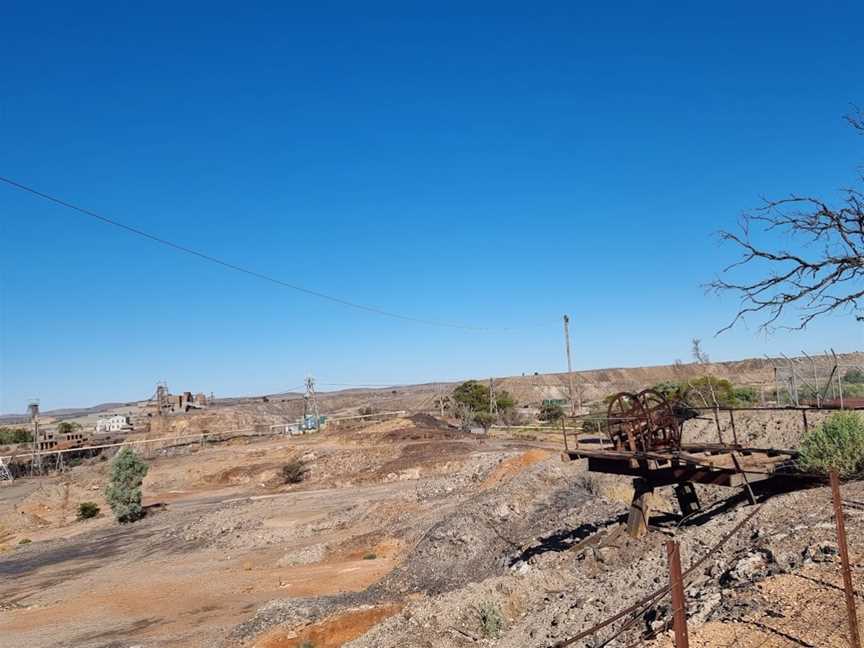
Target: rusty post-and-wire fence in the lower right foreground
{"points": [[820, 612]]}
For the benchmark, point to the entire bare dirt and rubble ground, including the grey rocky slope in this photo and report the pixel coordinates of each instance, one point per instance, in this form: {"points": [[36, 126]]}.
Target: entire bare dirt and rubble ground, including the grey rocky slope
{"points": [[401, 533]]}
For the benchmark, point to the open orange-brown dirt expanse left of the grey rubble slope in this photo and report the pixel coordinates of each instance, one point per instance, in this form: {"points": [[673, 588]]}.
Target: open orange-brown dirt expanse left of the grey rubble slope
{"points": [[230, 537]]}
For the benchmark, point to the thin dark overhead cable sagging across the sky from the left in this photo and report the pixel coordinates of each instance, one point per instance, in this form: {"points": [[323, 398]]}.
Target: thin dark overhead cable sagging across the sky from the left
{"points": [[237, 268]]}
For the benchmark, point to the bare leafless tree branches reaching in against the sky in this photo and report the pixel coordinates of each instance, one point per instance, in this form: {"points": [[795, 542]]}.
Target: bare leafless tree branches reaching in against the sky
{"points": [[825, 272]]}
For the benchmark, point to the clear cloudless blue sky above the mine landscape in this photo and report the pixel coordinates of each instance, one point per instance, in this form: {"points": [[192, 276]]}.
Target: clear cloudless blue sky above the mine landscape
{"points": [[492, 164]]}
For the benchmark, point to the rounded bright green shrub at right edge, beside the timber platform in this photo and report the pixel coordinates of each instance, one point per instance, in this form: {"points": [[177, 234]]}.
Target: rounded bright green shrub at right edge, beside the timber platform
{"points": [[837, 444]]}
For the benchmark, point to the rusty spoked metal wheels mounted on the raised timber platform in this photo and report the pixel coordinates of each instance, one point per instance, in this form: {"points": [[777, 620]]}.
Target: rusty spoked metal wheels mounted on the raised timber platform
{"points": [[646, 421]]}
